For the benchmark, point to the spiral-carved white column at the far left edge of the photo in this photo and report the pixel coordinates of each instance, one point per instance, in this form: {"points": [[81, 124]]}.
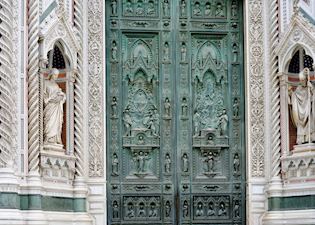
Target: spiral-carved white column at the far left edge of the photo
{"points": [[6, 83]]}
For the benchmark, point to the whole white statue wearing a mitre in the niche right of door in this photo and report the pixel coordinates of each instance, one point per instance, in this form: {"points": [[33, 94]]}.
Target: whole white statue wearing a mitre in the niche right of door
{"points": [[303, 108]]}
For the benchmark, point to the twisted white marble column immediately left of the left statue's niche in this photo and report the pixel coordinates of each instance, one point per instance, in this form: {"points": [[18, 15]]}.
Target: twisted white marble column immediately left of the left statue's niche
{"points": [[33, 86]]}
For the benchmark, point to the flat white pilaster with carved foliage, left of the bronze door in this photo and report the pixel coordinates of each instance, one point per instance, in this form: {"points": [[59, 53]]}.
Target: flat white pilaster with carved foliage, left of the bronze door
{"points": [[95, 88]]}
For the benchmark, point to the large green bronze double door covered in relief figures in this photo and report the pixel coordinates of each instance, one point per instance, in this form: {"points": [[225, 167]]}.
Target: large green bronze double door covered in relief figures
{"points": [[175, 124]]}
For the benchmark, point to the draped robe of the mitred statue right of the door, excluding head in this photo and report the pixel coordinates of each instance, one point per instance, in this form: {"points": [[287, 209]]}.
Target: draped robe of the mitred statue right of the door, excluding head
{"points": [[302, 111]]}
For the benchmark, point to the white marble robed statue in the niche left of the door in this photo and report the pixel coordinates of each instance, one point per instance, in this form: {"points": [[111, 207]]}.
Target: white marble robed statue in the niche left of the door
{"points": [[54, 98]]}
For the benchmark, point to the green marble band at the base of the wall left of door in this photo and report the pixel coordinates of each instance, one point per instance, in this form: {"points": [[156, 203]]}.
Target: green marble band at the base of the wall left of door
{"points": [[38, 202]]}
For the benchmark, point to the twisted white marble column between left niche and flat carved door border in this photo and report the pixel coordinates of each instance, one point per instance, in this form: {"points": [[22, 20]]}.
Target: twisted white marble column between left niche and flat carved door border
{"points": [[78, 92]]}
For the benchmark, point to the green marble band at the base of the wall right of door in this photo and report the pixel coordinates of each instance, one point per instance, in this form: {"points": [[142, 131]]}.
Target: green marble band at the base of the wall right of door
{"points": [[291, 203]]}
